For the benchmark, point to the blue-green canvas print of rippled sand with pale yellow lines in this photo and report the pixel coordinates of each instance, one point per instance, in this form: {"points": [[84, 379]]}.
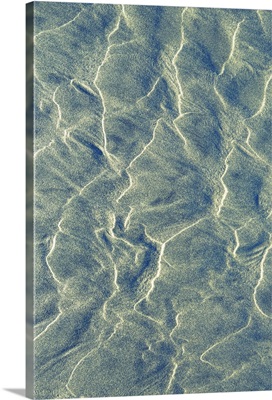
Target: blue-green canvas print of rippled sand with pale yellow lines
{"points": [[151, 136]]}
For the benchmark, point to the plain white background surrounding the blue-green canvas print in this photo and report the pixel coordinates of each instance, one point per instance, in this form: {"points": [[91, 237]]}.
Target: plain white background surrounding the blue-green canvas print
{"points": [[12, 184]]}
